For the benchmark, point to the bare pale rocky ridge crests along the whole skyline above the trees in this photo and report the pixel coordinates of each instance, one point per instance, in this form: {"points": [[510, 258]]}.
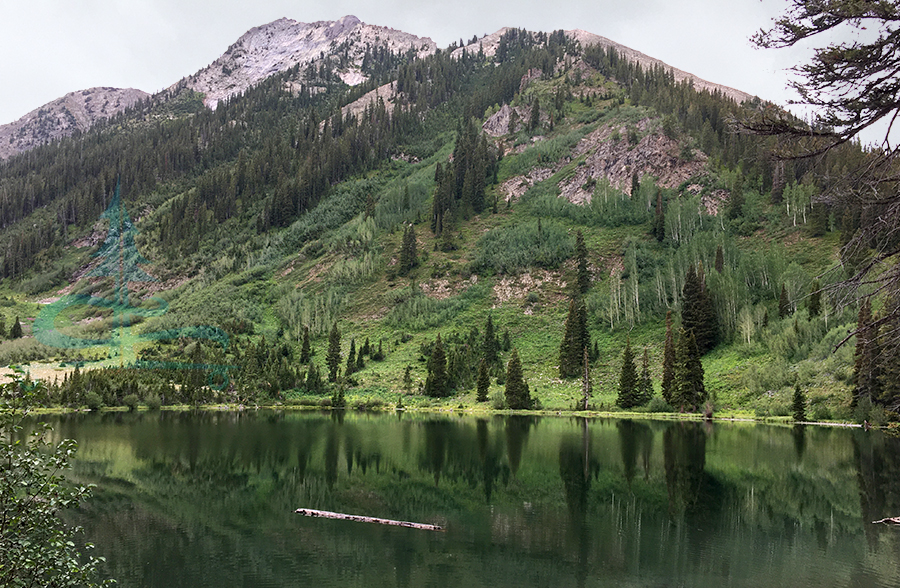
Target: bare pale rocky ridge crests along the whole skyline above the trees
{"points": [[273, 48]]}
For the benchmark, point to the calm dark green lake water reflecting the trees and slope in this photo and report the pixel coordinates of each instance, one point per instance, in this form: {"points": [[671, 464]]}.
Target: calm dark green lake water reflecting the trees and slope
{"points": [[208, 499]]}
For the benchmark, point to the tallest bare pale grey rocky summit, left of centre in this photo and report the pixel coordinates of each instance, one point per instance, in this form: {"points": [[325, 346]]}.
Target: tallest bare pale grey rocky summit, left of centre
{"points": [[284, 43]]}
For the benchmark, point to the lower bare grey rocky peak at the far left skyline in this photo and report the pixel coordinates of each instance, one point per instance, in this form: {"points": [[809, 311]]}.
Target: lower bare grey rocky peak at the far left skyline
{"points": [[75, 111]]}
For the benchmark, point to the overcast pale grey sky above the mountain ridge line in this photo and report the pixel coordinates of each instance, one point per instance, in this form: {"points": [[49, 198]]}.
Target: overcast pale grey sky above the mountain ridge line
{"points": [[51, 47]]}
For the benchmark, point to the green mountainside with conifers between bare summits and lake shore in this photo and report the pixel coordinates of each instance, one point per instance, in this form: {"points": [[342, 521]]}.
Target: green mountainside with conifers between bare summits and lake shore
{"points": [[547, 227]]}
